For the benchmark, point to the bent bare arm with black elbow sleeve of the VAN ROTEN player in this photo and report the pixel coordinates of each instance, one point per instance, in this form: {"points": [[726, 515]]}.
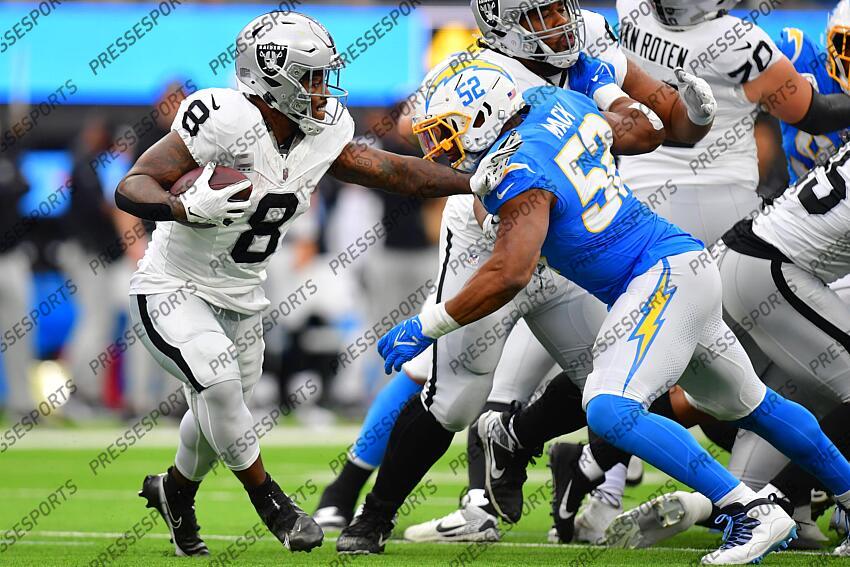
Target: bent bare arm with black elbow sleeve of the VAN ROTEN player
{"points": [[787, 95]]}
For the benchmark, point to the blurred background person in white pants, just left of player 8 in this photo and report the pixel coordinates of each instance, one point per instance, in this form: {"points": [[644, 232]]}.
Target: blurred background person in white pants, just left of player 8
{"points": [[100, 261]]}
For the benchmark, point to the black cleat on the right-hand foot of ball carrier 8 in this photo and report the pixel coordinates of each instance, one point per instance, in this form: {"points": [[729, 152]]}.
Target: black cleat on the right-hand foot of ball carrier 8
{"points": [[293, 527]]}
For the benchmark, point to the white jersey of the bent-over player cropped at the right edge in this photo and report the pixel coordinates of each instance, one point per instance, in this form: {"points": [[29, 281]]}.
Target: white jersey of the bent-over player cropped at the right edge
{"points": [[810, 222]]}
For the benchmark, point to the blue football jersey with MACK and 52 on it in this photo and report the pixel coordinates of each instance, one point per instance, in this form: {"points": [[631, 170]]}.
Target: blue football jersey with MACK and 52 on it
{"points": [[600, 236]]}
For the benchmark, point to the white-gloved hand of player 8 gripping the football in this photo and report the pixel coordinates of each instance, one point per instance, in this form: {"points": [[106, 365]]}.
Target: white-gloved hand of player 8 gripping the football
{"points": [[205, 205]]}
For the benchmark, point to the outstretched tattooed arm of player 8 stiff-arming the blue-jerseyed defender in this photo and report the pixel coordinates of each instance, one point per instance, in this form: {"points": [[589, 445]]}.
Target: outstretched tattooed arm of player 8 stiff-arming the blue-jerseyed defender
{"points": [[372, 167]]}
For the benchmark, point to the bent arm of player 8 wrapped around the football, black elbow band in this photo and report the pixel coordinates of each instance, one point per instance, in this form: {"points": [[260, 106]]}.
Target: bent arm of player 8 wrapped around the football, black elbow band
{"points": [[143, 191]]}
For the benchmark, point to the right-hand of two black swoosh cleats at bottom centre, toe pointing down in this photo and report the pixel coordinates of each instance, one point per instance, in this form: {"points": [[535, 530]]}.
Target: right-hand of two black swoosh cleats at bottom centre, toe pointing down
{"points": [[569, 487]]}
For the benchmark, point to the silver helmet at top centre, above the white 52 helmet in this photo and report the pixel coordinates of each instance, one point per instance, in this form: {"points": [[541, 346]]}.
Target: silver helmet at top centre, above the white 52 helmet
{"points": [[509, 26]]}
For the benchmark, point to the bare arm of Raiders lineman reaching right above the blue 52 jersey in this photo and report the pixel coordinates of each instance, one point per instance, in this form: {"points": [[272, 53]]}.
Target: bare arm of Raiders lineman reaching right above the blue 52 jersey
{"points": [[666, 103]]}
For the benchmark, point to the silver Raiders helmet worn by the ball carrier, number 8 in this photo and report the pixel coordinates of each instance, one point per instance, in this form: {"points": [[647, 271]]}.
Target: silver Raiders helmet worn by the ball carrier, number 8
{"points": [[278, 54]]}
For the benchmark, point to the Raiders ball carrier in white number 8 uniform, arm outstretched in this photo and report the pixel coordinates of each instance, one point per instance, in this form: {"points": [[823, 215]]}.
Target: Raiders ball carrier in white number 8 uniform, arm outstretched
{"points": [[285, 127]]}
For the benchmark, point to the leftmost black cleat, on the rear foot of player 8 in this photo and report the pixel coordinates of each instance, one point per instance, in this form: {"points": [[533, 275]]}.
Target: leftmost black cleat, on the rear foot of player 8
{"points": [[177, 508]]}
